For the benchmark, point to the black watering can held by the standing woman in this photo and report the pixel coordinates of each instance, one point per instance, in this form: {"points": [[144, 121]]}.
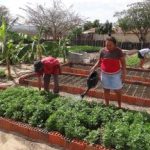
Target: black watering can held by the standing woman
{"points": [[92, 81]]}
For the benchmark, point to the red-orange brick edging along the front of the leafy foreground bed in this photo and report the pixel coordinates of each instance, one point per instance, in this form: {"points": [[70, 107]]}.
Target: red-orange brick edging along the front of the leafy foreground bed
{"points": [[52, 138]]}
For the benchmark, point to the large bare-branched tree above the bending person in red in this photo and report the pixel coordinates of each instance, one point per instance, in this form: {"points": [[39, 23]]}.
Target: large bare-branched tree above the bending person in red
{"points": [[57, 20]]}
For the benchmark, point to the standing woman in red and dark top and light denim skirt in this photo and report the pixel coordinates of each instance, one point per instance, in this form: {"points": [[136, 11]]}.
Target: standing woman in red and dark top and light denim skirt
{"points": [[113, 69]]}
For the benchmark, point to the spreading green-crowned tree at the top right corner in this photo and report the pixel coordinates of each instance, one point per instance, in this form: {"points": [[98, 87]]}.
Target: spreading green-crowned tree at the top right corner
{"points": [[136, 19]]}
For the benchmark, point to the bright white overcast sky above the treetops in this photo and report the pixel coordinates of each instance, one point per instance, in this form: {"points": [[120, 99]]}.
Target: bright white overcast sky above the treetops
{"points": [[88, 9]]}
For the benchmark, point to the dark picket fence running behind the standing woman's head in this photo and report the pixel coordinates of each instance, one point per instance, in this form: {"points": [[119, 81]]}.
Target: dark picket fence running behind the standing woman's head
{"points": [[123, 45]]}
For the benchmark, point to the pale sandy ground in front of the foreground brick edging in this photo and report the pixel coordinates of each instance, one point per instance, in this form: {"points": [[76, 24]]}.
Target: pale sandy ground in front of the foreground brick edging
{"points": [[11, 141]]}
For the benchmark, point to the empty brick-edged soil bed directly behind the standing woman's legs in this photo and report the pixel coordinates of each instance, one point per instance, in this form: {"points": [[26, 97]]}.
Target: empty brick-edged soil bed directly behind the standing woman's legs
{"points": [[136, 94]]}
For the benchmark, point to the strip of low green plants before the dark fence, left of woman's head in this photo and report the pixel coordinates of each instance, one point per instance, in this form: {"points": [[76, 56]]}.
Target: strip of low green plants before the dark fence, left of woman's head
{"points": [[84, 48]]}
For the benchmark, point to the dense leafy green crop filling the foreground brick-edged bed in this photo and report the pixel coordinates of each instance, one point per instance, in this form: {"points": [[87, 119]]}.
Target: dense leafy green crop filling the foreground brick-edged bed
{"points": [[120, 129]]}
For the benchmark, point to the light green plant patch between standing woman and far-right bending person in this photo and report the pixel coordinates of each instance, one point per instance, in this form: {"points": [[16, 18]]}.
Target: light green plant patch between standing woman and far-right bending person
{"points": [[132, 60]]}
